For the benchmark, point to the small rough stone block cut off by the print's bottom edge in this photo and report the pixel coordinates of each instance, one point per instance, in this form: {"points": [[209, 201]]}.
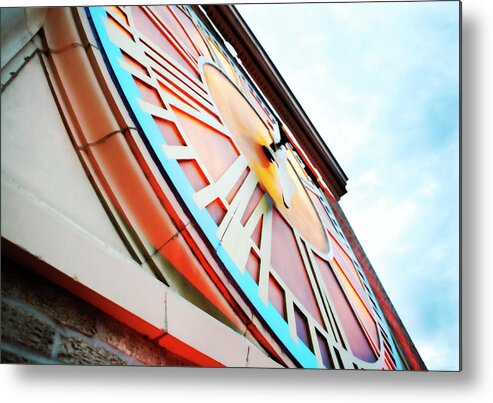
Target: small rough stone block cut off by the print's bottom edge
{"points": [[77, 351]]}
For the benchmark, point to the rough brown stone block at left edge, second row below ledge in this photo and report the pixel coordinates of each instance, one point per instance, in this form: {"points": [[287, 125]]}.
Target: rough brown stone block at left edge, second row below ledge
{"points": [[23, 329]]}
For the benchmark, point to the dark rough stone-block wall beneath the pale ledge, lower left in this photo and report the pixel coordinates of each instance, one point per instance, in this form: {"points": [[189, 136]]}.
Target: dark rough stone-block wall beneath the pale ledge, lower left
{"points": [[43, 324]]}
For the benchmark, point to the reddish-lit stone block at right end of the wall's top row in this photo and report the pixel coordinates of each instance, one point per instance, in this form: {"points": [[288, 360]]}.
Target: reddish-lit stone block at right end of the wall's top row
{"points": [[135, 345]]}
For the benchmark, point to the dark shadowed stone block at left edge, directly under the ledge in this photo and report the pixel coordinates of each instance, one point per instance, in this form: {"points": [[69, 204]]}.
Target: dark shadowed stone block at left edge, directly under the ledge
{"points": [[53, 301]]}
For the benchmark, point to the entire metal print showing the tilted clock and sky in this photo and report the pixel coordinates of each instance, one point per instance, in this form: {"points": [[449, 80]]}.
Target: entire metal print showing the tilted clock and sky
{"points": [[204, 212]]}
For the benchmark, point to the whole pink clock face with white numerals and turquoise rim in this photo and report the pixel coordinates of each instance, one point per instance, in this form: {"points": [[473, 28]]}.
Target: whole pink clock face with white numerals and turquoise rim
{"points": [[216, 139]]}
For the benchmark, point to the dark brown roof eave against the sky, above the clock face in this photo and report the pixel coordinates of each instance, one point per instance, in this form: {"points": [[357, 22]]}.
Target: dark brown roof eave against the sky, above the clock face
{"points": [[258, 64]]}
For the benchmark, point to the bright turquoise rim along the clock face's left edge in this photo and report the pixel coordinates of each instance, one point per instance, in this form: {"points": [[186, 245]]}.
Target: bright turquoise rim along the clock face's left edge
{"points": [[148, 129]]}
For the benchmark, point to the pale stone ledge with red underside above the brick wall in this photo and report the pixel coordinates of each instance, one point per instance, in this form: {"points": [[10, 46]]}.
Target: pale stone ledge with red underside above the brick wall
{"points": [[73, 258]]}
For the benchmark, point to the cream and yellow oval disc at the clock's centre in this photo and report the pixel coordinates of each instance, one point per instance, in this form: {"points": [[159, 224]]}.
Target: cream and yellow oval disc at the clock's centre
{"points": [[252, 136]]}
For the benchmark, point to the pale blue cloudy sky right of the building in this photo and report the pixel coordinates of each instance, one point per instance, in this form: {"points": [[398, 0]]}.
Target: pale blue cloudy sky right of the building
{"points": [[380, 82]]}
